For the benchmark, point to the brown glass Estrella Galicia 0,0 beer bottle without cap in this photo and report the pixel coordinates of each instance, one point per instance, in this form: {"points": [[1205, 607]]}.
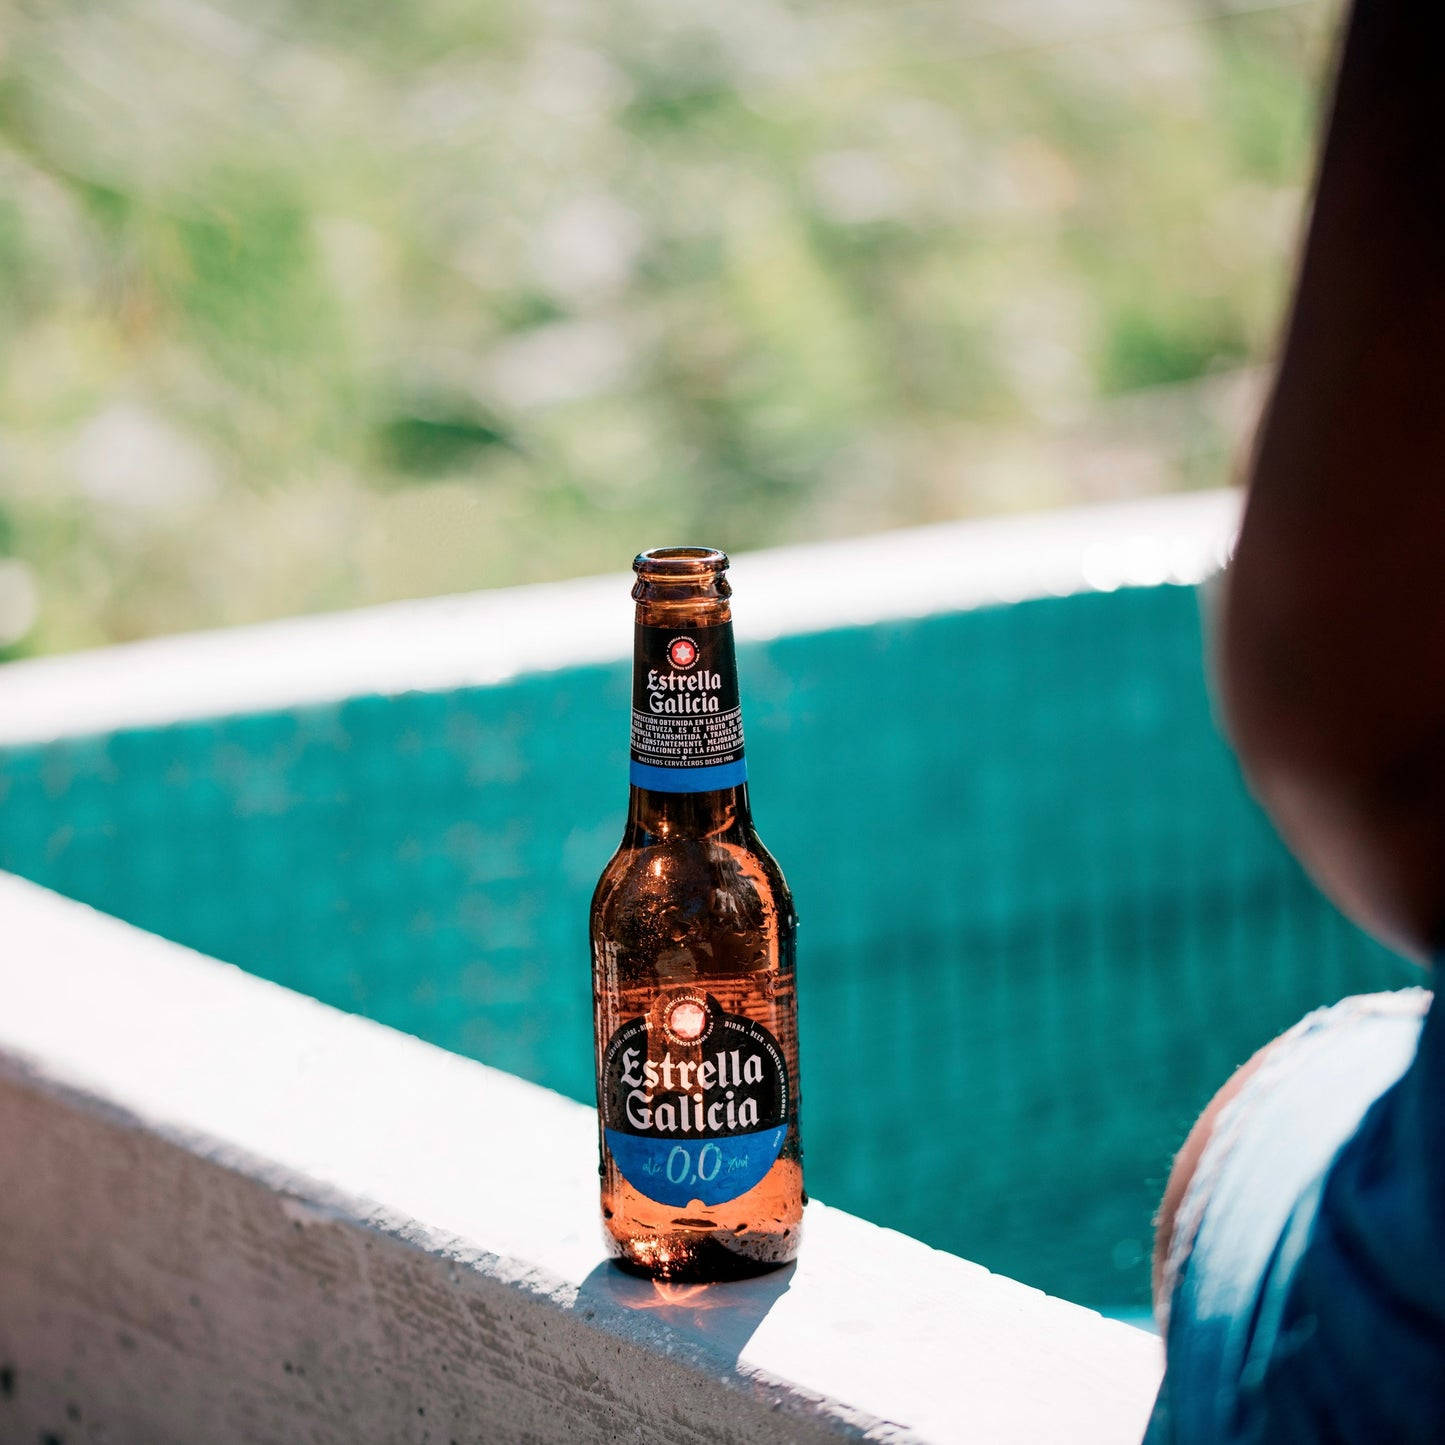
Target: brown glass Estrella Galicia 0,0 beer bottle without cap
{"points": [[693, 965]]}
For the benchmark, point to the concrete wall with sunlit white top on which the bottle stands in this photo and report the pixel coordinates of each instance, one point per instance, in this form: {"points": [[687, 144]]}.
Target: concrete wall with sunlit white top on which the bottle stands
{"points": [[232, 1215]]}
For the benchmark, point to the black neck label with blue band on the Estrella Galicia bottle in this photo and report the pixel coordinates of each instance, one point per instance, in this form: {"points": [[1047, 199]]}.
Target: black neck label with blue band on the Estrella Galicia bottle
{"points": [[687, 735]]}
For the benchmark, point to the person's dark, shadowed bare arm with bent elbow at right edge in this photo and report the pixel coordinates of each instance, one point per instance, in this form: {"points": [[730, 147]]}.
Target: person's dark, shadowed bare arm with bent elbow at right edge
{"points": [[1333, 660]]}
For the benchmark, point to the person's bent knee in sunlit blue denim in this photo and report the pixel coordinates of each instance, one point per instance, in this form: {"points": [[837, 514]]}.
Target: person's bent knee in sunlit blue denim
{"points": [[1310, 1200]]}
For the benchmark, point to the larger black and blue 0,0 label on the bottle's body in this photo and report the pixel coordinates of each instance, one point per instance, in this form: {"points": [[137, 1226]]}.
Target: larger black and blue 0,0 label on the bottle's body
{"points": [[696, 1102]]}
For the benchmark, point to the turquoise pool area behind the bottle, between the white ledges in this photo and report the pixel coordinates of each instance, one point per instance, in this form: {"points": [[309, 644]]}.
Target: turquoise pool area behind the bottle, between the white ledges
{"points": [[1041, 920]]}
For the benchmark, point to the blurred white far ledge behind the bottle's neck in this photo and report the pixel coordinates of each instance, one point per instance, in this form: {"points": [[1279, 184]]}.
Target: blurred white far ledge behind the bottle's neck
{"points": [[485, 638]]}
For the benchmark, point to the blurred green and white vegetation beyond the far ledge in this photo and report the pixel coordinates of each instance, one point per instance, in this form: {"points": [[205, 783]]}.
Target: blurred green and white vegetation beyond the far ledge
{"points": [[306, 306]]}
